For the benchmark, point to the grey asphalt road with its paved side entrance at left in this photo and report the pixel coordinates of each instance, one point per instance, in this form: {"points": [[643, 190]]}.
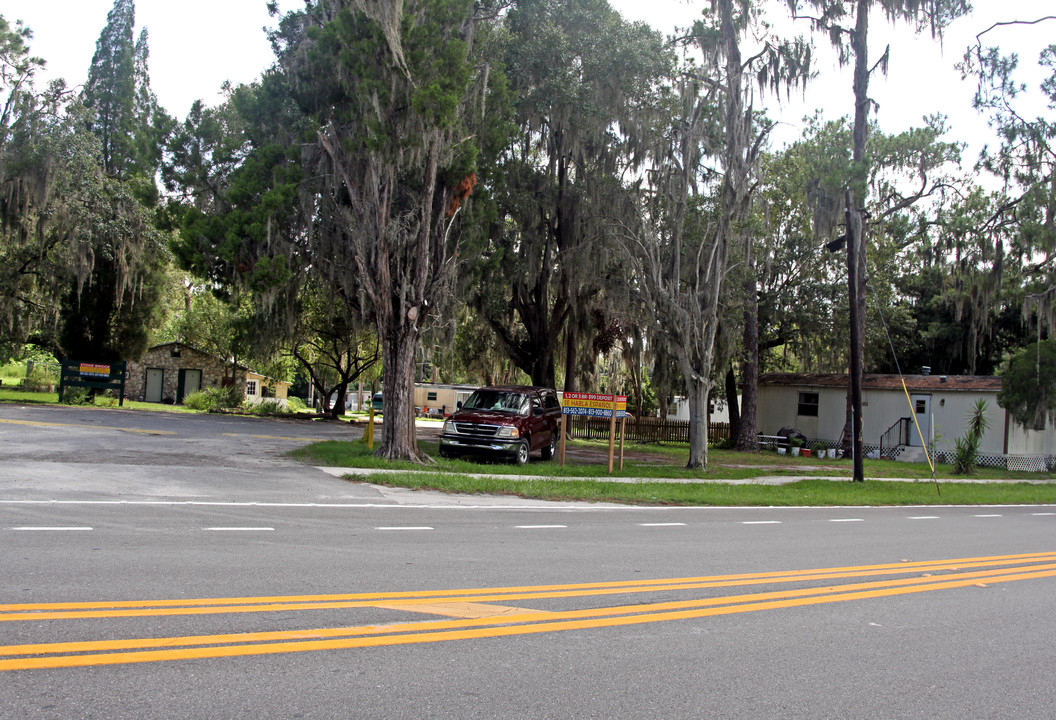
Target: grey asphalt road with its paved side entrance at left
{"points": [[172, 566]]}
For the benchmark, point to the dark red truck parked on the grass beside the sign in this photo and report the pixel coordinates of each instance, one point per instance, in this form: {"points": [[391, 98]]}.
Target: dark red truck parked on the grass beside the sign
{"points": [[507, 422]]}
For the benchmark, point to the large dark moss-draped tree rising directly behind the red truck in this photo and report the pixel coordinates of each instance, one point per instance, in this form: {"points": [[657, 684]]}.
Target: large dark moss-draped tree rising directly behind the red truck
{"points": [[583, 90]]}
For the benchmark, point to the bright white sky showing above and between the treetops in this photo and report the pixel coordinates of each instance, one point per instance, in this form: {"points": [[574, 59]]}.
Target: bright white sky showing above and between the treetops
{"points": [[198, 45]]}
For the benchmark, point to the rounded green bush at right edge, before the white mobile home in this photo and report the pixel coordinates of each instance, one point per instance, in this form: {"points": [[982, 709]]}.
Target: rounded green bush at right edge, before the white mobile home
{"points": [[1029, 386]]}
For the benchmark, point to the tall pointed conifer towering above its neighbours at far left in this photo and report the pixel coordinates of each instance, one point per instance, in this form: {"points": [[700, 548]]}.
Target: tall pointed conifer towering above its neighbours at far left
{"points": [[114, 295]]}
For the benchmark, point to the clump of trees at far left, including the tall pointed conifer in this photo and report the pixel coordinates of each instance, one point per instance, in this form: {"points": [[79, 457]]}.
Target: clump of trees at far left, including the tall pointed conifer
{"points": [[80, 255]]}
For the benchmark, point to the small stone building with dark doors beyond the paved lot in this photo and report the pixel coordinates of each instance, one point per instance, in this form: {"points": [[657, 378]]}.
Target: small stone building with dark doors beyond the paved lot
{"points": [[171, 372]]}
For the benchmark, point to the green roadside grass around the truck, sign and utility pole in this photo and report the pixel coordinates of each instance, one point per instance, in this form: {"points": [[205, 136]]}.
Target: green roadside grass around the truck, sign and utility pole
{"points": [[589, 481]]}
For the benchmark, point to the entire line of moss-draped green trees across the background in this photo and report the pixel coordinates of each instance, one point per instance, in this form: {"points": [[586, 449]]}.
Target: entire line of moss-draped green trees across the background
{"points": [[531, 192]]}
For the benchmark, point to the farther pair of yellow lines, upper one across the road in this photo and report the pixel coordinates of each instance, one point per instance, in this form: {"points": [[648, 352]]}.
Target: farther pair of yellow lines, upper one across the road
{"points": [[40, 612]]}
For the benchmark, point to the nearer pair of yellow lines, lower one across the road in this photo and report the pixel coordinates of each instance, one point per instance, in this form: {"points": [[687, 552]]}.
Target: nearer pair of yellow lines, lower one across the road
{"points": [[447, 631]]}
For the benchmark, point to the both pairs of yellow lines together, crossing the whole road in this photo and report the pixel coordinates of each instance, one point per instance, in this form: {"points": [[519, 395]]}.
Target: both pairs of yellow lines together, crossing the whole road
{"points": [[958, 574]]}
